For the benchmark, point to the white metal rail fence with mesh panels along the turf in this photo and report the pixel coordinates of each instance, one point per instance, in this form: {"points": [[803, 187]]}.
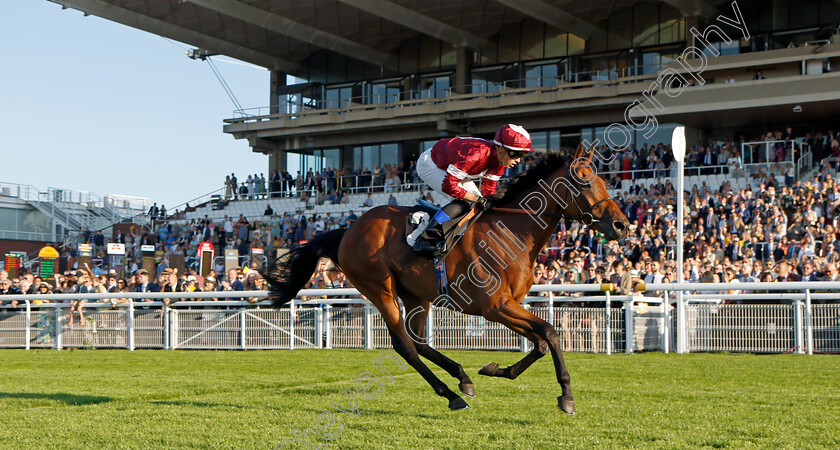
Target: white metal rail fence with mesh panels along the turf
{"points": [[596, 324]]}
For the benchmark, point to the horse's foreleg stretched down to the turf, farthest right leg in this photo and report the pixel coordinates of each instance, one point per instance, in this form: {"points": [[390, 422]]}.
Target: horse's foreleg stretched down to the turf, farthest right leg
{"points": [[514, 316]]}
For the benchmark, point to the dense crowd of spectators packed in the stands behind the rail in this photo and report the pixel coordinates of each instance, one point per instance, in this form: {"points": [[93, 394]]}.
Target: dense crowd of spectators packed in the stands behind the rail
{"points": [[771, 230]]}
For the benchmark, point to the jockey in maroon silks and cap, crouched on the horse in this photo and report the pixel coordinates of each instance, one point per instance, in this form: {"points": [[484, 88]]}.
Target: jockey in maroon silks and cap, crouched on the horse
{"points": [[450, 167]]}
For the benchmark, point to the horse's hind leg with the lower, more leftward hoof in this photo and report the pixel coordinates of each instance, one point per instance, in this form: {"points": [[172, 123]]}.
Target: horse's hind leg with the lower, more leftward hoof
{"points": [[385, 300]]}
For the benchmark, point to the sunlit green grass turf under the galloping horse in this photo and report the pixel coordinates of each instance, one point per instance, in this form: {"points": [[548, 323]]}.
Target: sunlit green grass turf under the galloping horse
{"points": [[255, 399]]}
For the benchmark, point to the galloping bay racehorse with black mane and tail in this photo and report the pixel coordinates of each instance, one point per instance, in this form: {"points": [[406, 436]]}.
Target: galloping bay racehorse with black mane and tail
{"points": [[490, 266]]}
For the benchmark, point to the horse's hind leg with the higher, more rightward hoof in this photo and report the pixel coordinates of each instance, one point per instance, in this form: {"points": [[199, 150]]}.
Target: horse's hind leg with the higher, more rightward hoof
{"points": [[417, 312]]}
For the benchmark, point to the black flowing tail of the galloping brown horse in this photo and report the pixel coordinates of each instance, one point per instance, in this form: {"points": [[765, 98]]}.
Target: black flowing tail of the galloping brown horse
{"points": [[288, 274]]}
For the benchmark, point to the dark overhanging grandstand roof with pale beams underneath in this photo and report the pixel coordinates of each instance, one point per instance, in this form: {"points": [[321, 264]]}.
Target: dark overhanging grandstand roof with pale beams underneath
{"points": [[282, 34]]}
